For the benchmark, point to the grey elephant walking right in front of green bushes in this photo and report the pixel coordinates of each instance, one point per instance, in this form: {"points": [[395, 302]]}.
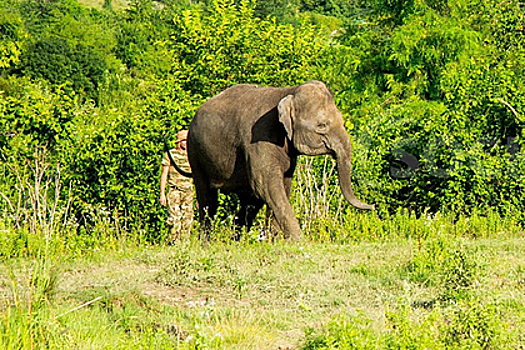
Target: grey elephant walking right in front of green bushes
{"points": [[246, 140]]}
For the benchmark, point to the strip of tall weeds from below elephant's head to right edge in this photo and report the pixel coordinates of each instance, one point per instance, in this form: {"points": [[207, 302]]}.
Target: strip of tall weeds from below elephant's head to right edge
{"points": [[325, 216]]}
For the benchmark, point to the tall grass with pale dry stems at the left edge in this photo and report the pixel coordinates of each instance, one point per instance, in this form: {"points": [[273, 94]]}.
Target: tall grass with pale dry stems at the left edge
{"points": [[37, 216]]}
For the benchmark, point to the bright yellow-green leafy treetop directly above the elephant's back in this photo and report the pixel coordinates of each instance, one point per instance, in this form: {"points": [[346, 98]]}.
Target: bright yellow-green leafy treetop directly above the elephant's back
{"points": [[230, 45]]}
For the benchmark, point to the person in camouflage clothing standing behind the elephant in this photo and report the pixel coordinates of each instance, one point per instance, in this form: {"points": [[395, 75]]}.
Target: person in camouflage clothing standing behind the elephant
{"points": [[180, 192]]}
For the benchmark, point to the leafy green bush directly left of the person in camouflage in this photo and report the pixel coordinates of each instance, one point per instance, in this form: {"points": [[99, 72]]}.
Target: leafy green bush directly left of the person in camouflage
{"points": [[115, 171]]}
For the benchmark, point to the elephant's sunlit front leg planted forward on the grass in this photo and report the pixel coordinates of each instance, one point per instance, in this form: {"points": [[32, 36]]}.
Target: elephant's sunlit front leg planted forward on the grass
{"points": [[271, 188]]}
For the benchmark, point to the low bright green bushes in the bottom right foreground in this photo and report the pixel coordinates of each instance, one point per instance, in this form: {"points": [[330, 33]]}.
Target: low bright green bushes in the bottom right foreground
{"points": [[468, 325]]}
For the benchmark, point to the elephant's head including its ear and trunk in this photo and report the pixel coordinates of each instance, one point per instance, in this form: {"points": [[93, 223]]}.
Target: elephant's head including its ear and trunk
{"points": [[315, 126]]}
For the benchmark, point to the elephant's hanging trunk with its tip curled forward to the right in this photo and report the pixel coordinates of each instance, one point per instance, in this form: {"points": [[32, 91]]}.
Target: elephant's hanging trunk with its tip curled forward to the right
{"points": [[343, 155]]}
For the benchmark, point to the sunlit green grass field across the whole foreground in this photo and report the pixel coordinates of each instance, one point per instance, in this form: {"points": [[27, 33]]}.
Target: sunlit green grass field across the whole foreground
{"points": [[441, 285]]}
